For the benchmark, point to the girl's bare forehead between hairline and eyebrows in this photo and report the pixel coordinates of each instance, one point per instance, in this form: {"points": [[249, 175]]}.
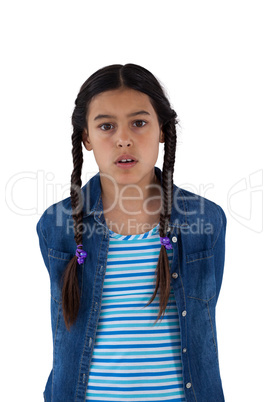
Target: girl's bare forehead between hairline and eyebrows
{"points": [[119, 102]]}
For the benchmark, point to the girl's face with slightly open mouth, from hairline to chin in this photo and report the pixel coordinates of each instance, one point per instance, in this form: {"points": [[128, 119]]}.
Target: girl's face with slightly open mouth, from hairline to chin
{"points": [[123, 121]]}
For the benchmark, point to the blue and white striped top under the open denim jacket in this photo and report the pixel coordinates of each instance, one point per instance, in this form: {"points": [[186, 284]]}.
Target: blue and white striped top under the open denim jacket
{"points": [[133, 359]]}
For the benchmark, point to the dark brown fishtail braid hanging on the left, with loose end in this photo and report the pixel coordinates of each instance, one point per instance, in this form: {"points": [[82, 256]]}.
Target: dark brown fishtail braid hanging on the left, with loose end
{"points": [[70, 289]]}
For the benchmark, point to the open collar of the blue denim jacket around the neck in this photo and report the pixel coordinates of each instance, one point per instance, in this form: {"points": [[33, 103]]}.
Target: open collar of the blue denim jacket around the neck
{"points": [[93, 201]]}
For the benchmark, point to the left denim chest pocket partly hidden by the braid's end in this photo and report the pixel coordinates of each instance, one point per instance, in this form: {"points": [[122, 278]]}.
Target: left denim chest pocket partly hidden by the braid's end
{"points": [[58, 261]]}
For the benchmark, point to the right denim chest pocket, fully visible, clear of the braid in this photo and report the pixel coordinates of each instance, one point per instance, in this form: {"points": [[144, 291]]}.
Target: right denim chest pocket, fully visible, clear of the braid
{"points": [[201, 275]]}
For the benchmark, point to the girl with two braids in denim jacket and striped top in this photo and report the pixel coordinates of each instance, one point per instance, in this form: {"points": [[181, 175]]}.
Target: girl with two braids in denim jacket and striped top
{"points": [[128, 248]]}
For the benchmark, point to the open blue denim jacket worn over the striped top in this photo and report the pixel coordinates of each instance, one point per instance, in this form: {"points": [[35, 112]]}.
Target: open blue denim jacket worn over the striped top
{"points": [[197, 232]]}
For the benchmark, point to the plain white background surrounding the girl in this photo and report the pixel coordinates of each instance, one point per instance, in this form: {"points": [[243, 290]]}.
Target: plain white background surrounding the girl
{"points": [[211, 56]]}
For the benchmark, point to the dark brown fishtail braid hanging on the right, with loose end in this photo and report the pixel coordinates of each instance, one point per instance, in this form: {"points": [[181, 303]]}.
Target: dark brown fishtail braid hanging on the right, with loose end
{"points": [[163, 270]]}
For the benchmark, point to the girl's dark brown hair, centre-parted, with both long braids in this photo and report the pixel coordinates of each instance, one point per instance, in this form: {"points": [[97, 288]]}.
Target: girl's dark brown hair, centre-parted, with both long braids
{"points": [[109, 78]]}
